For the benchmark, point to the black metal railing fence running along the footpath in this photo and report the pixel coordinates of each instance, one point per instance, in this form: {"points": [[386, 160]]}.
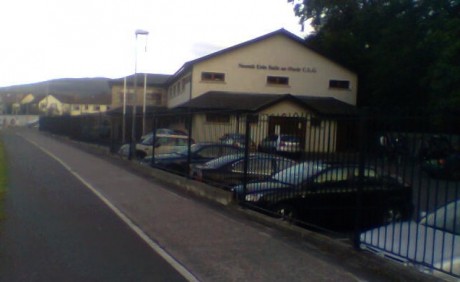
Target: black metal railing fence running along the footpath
{"points": [[391, 184]]}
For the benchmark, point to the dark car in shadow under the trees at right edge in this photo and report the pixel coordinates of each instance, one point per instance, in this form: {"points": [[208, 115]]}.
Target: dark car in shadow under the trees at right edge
{"points": [[447, 167]]}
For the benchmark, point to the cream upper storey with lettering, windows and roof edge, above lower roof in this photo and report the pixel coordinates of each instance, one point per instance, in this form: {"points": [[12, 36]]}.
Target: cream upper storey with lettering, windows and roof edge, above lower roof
{"points": [[276, 63]]}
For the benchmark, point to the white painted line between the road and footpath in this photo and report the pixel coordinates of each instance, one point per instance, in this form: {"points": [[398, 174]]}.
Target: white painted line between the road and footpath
{"points": [[154, 246]]}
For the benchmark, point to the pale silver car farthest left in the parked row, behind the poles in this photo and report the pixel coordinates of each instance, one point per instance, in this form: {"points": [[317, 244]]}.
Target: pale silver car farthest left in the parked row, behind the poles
{"points": [[164, 143]]}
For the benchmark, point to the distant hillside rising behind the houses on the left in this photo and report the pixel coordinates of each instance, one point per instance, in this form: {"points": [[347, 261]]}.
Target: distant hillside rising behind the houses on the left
{"points": [[65, 86]]}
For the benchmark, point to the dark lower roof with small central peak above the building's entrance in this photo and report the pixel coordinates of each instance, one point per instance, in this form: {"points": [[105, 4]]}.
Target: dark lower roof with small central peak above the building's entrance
{"points": [[252, 102]]}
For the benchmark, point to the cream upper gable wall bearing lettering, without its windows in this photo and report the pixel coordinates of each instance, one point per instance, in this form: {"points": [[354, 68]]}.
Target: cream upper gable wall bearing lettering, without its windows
{"points": [[246, 70]]}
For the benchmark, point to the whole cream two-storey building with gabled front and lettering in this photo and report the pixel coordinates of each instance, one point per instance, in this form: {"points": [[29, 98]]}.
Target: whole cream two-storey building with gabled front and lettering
{"points": [[274, 75]]}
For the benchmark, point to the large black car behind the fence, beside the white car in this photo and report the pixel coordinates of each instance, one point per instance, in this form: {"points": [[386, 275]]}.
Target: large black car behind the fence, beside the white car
{"points": [[325, 195]]}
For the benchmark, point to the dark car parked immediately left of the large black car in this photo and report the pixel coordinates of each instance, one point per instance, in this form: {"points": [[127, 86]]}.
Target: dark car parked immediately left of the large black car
{"points": [[228, 171]]}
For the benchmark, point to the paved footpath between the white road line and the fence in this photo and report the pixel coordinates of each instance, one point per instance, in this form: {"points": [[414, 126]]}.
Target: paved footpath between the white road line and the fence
{"points": [[213, 240]]}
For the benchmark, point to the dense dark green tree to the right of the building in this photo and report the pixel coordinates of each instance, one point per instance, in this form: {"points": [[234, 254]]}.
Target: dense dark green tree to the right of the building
{"points": [[406, 52]]}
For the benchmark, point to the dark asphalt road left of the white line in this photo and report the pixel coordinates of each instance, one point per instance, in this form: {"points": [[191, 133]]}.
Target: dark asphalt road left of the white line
{"points": [[57, 230]]}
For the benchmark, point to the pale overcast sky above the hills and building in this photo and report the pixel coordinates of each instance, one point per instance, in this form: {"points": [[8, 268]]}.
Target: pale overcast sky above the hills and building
{"points": [[50, 39]]}
